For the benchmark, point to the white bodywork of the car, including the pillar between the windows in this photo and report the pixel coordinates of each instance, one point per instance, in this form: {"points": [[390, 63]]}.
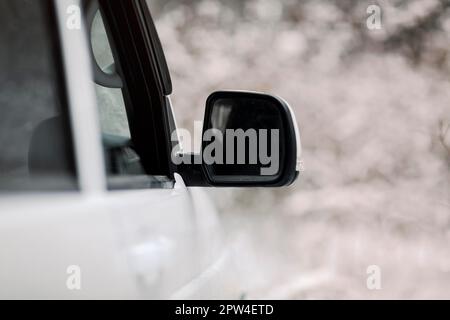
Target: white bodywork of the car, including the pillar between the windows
{"points": [[153, 243]]}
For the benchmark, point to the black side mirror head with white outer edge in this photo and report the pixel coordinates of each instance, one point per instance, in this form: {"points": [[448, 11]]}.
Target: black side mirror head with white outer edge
{"points": [[249, 140]]}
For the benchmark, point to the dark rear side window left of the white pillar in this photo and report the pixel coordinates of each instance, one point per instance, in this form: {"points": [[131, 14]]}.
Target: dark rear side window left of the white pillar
{"points": [[35, 137]]}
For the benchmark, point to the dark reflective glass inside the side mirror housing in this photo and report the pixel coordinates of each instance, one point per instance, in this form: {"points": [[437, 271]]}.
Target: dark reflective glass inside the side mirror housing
{"points": [[243, 138]]}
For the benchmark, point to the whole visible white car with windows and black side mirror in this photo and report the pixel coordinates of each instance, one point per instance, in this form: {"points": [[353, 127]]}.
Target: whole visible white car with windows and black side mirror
{"points": [[97, 199]]}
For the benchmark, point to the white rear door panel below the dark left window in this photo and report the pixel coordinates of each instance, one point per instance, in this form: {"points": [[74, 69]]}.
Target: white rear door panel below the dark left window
{"points": [[42, 236]]}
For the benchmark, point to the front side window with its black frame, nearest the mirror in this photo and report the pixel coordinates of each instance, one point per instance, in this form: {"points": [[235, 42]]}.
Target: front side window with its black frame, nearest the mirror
{"points": [[131, 105]]}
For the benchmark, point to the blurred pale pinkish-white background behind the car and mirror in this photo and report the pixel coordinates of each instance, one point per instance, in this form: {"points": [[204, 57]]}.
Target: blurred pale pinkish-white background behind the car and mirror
{"points": [[373, 108]]}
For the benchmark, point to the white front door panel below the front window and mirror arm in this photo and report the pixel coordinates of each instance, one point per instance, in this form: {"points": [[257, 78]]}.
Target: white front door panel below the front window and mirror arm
{"points": [[158, 235]]}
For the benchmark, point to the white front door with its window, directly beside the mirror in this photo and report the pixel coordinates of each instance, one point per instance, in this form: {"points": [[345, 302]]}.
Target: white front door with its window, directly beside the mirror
{"points": [[151, 207]]}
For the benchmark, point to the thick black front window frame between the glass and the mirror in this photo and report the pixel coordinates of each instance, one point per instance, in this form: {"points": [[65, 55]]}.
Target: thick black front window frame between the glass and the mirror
{"points": [[143, 91]]}
